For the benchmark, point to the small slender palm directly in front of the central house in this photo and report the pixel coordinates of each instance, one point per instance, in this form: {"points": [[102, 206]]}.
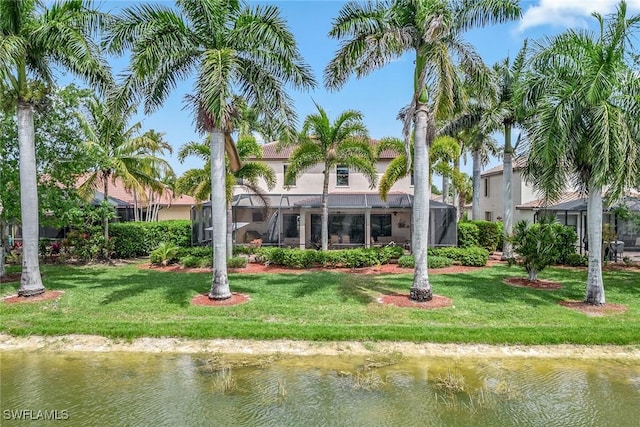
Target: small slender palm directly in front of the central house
{"points": [[343, 142]]}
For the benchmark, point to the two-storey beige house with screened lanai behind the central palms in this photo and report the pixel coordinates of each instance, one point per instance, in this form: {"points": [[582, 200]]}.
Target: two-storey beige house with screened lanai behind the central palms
{"points": [[357, 215]]}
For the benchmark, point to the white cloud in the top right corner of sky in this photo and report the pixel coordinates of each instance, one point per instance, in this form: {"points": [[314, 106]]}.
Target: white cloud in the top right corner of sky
{"points": [[569, 13]]}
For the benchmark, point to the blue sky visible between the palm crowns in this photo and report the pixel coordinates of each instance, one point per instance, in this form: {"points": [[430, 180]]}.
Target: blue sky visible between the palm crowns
{"points": [[380, 95]]}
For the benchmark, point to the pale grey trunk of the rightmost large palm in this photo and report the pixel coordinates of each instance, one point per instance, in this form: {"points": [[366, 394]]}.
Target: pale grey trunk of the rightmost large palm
{"points": [[595, 286]]}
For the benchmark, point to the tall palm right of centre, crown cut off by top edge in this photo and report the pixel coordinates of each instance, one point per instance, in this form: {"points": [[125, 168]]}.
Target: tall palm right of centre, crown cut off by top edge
{"points": [[375, 34]]}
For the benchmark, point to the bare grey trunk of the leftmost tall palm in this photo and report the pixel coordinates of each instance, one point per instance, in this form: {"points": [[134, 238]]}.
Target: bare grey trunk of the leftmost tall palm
{"points": [[30, 281]]}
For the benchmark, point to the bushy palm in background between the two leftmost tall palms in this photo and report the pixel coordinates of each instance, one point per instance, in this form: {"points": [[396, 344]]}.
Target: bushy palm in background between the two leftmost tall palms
{"points": [[121, 152]]}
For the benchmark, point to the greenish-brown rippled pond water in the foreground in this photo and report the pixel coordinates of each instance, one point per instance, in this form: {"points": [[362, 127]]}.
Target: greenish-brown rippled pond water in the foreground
{"points": [[133, 389]]}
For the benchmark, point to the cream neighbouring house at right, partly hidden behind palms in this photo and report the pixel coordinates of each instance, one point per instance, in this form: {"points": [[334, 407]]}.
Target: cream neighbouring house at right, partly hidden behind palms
{"points": [[570, 209]]}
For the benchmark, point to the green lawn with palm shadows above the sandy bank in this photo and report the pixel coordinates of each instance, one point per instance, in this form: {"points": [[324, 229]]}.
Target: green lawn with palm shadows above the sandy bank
{"points": [[129, 302]]}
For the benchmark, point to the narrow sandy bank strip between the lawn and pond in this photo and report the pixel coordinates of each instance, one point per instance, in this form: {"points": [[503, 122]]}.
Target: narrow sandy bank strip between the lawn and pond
{"points": [[92, 343]]}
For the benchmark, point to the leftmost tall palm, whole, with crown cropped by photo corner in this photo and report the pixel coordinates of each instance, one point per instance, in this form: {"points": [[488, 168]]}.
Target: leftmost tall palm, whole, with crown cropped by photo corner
{"points": [[34, 38]]}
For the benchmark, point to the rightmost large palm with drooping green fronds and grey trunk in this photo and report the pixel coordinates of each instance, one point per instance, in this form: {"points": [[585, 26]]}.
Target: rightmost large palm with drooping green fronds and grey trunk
{"points": [[586, 129]]}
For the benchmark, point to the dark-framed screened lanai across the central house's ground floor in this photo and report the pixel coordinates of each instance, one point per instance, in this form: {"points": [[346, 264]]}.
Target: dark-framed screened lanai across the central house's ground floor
{"points": [[355, 220]]}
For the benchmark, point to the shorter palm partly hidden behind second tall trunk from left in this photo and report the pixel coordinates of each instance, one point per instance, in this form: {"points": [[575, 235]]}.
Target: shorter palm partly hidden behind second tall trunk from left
{"points": [[197, 182]]}
